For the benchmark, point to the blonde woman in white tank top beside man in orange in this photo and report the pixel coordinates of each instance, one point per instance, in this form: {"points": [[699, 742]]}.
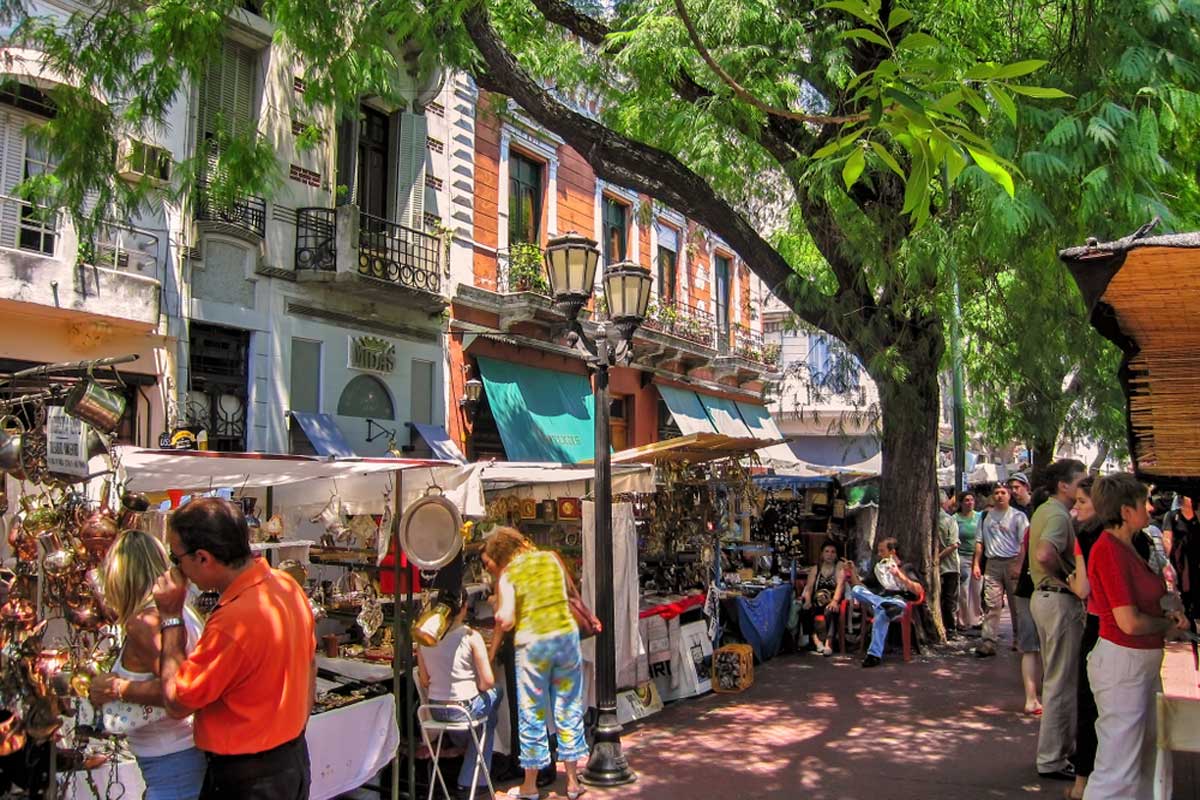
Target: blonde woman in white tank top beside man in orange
{"points": [[172, 767]]}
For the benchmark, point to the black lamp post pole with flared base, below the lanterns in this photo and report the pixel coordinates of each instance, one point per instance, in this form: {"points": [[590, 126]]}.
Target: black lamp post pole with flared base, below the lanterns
{"points": [[607, 765]]}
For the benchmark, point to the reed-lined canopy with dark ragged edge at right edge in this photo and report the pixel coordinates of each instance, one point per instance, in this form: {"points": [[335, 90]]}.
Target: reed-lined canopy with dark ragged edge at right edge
{"points": [[1131, 288]]}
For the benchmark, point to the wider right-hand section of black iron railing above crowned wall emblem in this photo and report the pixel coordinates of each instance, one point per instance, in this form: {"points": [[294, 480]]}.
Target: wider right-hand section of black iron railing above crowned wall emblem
{"points": [[392, 252]]}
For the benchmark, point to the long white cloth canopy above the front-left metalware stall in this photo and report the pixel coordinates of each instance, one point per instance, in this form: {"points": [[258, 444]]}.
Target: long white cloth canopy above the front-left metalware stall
{"points": [[362, 484]]}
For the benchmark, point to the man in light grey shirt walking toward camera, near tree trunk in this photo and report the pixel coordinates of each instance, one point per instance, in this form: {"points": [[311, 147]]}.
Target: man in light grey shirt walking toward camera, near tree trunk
{"points": [[1000, 539]]}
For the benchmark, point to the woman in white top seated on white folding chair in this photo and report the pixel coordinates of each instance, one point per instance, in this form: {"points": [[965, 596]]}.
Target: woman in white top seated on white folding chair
{"points": [[458, 676]]}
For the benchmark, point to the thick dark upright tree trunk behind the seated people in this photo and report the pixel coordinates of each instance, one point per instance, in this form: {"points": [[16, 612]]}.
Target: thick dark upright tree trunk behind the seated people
{"points": [[909, 477]]}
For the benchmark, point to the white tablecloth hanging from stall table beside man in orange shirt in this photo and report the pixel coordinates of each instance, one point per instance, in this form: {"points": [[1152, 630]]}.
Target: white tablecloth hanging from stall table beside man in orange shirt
{"points": [[347, 747]]}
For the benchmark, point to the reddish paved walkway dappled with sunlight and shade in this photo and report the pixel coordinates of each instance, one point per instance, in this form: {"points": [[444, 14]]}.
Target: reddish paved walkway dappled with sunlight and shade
{"points": [[947, 725]]}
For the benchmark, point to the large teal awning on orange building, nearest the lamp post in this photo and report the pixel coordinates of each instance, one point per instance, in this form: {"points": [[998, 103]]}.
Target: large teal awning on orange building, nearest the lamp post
{"points": [[543, 416]]}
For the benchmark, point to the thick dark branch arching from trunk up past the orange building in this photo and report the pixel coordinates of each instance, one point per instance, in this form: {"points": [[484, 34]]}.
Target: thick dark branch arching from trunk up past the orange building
{"points": [[644, 169]]}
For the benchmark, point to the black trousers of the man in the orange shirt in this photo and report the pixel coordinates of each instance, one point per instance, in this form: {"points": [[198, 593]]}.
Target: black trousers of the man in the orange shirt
{"points": [[279, 774]]}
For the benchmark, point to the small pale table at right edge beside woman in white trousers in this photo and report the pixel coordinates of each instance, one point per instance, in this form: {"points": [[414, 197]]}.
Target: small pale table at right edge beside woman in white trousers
{"points": [[1179, 713]]}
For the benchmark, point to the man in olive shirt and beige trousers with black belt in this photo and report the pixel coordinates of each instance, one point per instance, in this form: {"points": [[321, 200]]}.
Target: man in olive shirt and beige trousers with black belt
{"points": [[1059, 616]]}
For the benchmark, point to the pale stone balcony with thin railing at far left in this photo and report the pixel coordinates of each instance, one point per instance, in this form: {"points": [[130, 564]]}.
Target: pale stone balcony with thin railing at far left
{"points": [[116, 275]]}
